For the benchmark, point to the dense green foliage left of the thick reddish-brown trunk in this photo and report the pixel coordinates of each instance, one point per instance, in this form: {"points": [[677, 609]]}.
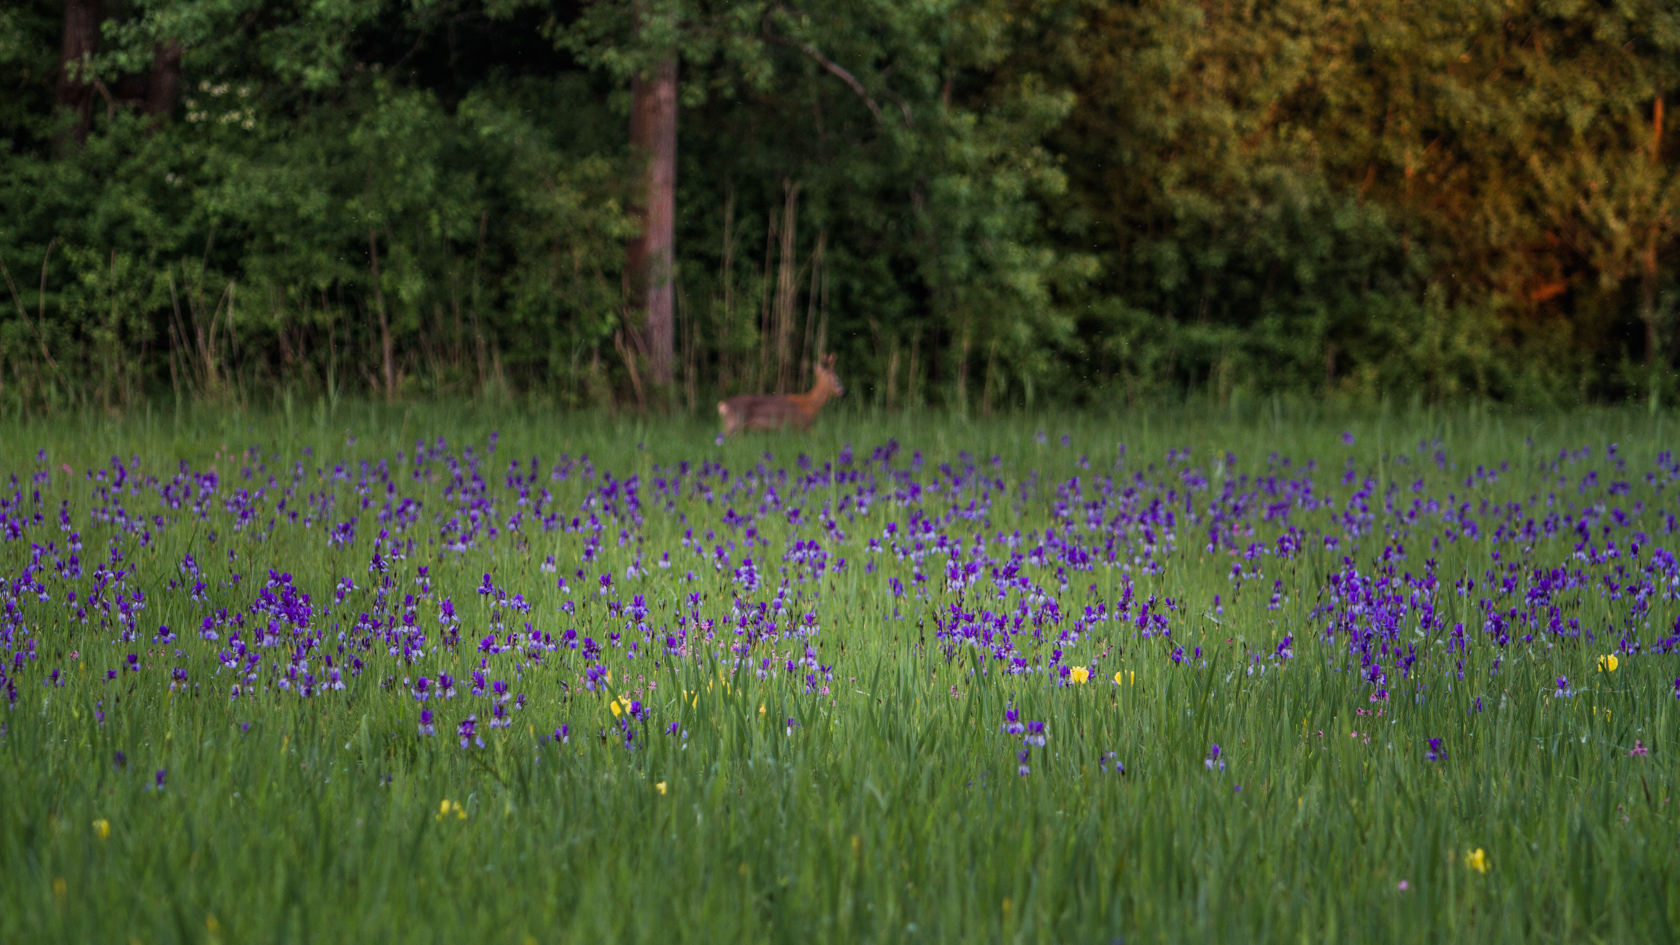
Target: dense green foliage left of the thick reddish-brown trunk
{"points": [[251, 226]]}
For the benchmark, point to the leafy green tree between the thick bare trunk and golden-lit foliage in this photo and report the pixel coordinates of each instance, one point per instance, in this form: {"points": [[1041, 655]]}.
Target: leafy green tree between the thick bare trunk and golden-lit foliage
{"points": [[879, 120]]}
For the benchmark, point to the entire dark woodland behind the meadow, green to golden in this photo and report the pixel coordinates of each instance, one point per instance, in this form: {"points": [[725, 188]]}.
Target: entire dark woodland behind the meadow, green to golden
{"points": [[982, 204]]}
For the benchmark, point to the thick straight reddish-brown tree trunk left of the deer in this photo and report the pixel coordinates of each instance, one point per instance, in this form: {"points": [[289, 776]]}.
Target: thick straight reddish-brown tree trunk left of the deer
{"points": [[649, 256]]}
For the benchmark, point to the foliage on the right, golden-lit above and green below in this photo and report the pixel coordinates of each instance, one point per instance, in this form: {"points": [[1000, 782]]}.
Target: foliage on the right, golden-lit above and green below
{"points": [[1298, 172]]}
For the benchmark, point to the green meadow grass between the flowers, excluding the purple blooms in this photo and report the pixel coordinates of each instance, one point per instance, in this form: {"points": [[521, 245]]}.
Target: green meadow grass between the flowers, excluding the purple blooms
{"points": [[893, 811]]}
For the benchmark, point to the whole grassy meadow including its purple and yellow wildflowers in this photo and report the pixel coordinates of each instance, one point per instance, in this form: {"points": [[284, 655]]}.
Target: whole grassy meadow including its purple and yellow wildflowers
{"points": [[448, 675]]}
